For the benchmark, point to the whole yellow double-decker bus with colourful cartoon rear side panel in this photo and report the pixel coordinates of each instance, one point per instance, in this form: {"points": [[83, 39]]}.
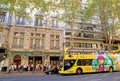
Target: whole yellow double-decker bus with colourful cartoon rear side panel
{"points": [[75, 62]]}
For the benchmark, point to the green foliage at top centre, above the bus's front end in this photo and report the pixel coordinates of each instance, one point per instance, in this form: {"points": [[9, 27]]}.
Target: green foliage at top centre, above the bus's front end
{"points": [[71, 10]]}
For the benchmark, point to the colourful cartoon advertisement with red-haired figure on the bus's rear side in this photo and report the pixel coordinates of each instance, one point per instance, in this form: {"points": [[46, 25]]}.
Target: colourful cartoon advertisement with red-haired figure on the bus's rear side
{"points": [[103, 62]]}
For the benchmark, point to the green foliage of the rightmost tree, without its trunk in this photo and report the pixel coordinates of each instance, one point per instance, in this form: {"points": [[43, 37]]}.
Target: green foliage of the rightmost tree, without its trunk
{"points": [[106, 9]]}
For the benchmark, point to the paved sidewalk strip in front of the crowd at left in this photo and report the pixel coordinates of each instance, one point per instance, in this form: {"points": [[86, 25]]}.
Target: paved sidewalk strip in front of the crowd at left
{"points": [[22, 74]]}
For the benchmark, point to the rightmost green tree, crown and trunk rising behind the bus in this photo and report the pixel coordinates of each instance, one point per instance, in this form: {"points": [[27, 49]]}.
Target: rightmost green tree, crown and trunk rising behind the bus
{"points": [[109, 14]]}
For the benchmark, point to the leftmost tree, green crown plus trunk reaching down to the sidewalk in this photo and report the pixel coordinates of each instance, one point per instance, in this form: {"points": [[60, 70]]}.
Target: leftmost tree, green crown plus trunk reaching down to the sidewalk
{"points": [[14, 8]]}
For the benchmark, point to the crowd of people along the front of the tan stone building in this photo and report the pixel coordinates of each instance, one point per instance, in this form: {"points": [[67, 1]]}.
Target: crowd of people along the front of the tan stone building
{"points": [[29, 67]]}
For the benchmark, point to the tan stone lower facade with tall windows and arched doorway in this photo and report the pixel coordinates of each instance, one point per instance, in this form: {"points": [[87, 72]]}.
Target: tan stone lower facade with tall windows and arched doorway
{"points": [[45, 45]]}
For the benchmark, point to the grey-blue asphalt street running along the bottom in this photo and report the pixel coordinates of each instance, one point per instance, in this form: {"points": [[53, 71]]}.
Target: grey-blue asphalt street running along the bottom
{"points": [[115, 76]]}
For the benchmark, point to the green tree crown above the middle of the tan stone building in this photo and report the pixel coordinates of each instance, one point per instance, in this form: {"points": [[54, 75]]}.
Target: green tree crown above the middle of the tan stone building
{"points": [[45, 7]]}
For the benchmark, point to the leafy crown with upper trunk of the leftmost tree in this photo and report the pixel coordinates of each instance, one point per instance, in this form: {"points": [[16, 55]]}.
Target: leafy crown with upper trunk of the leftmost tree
{"points": [[15, 7]]}
